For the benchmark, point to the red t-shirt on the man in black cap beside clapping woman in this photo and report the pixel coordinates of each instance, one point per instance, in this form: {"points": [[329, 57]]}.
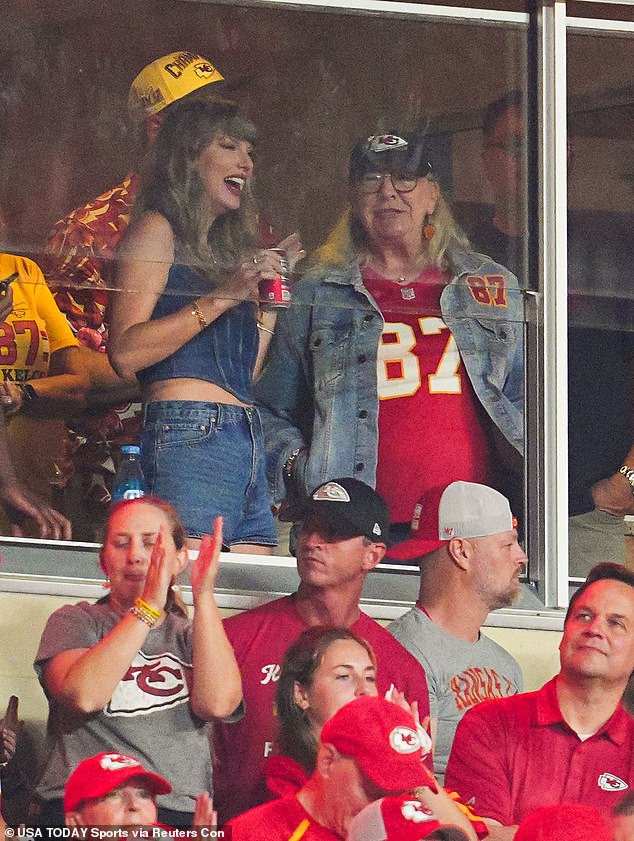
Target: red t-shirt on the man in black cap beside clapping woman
{"points": [[260, 638]]}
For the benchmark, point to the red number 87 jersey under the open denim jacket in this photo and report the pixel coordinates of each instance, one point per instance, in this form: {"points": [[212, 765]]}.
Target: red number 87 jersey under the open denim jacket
{"points": [[429, 429]]}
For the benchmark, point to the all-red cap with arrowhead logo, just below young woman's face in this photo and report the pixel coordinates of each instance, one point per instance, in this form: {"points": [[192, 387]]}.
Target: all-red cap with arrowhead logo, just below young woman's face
{"points": [[382, 738]]}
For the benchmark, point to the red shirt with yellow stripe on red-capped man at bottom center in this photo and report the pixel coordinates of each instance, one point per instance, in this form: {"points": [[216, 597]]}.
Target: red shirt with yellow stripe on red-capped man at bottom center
{"points": [[282, 820]]}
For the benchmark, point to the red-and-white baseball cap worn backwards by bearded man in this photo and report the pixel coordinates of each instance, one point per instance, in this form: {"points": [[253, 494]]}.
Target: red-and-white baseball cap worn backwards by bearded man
{"points": [[460, 509]]}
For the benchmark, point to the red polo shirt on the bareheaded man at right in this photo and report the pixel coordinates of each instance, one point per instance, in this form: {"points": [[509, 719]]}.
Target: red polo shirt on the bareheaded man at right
{"points": [[515, 754]]}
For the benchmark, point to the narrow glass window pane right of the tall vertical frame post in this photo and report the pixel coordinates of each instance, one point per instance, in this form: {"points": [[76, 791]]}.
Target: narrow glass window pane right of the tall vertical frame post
{"points": [[601, 312]]}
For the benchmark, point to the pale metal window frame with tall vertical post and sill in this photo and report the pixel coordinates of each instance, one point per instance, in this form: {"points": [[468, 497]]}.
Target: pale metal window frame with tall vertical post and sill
{"points": [[546, 308]]}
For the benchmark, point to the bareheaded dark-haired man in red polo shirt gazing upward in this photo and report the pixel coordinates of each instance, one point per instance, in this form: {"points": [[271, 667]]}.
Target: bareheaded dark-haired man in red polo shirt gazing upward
{"points": [[572, 741]]}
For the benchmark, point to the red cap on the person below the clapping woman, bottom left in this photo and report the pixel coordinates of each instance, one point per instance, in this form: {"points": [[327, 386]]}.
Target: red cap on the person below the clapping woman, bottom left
{"points": [[98, 775]]}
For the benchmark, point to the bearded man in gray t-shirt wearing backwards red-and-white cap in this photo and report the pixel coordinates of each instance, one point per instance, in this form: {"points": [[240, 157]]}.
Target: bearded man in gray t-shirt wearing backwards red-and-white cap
{"points": [[471, 562]]}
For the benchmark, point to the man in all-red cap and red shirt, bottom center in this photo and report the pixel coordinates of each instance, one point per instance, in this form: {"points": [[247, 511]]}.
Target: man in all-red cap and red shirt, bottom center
{"points": [[368, 749]]}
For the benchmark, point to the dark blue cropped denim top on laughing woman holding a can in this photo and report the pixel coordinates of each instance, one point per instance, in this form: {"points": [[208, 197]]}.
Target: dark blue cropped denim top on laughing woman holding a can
{"points": [[224, 353]]}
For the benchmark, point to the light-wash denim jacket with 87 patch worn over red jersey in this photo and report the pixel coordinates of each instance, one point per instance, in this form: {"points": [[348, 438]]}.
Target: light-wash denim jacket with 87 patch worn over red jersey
{"points": [[319, 389]]}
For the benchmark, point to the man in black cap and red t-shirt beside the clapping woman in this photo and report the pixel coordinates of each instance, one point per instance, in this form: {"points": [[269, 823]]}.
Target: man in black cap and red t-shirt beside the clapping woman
{"points": [[343, 535]]}
